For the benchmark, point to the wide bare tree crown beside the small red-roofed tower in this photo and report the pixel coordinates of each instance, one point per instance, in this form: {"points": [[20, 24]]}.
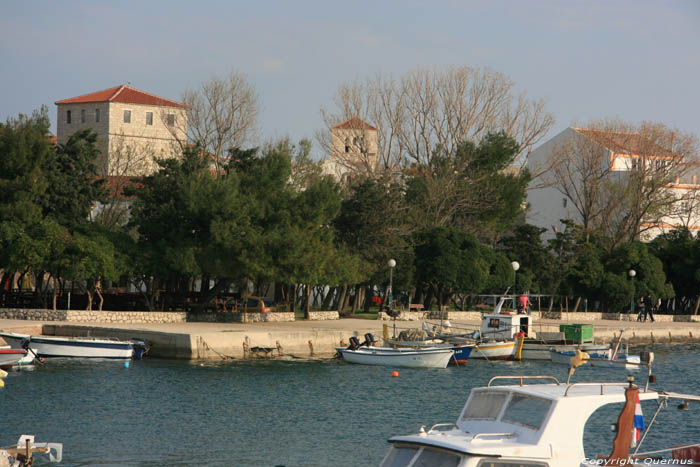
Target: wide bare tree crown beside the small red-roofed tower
{"points": [[427, 108]]}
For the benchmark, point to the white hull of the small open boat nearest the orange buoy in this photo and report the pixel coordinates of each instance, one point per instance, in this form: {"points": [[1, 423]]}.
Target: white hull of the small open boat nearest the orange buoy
{"points": [[410, 358]]}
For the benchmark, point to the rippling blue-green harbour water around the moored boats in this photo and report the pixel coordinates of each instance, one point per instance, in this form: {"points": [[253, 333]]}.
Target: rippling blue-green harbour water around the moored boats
{"points": [[165, 412]]}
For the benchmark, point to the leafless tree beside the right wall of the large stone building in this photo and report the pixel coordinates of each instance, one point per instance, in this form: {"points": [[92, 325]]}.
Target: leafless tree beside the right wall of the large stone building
{"points": [[221, 114]]}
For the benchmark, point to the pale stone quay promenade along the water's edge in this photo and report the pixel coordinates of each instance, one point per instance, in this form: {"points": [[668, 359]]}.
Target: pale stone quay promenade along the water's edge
{"points": [[311, 339]]}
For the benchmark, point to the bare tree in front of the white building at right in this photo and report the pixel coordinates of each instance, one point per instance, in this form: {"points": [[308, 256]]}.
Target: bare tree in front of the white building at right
{"points": [[619, 177]]}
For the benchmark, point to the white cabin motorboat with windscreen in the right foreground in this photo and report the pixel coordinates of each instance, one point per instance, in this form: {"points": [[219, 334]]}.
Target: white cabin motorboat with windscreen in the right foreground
{"points": [[533, 425]]}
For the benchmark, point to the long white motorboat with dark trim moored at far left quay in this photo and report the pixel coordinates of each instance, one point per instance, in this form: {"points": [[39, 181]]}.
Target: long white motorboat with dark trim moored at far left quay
{"points": [[74, 347]]}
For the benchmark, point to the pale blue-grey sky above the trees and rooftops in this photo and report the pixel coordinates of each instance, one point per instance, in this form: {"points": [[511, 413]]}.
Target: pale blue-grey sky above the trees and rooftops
{"points": [[636, 60]]}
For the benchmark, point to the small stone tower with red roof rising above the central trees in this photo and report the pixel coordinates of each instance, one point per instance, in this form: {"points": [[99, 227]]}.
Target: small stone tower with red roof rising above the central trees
{"points": [[353, 149]]}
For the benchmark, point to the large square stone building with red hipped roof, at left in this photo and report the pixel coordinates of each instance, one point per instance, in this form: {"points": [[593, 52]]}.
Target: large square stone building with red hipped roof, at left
{"points": [[133, 128]]}
